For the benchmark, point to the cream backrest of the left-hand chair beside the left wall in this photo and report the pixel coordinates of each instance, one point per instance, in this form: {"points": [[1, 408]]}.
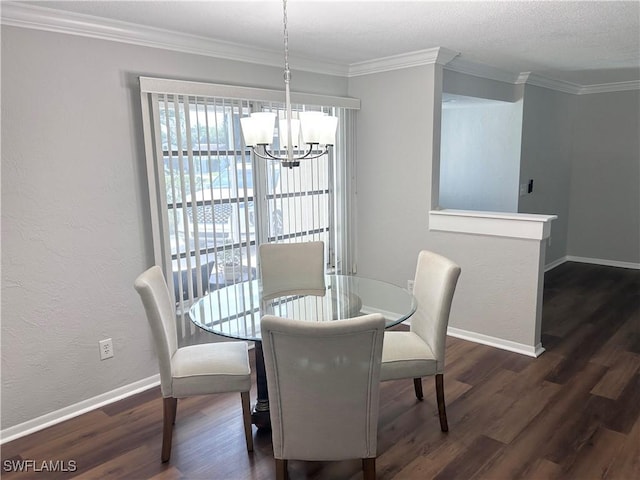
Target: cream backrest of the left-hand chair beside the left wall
{"points": [[160, 309]]}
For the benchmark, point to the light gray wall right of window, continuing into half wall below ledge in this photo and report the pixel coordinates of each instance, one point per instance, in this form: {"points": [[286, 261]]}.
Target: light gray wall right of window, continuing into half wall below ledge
{"points": [[395, 192]]}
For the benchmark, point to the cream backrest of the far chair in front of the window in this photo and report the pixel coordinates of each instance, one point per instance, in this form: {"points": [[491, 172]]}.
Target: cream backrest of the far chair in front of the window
{"points": [[292, 268]]}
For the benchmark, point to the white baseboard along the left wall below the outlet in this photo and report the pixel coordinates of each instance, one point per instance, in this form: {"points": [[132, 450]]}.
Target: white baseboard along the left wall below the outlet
{"points": [[53, 418]]}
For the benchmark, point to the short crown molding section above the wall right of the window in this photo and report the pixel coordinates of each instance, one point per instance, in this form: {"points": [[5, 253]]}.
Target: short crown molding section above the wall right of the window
{"points": [[429, 56]]}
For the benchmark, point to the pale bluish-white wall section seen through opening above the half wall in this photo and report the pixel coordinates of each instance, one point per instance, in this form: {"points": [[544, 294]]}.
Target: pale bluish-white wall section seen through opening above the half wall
{"points": [[480, 154]]}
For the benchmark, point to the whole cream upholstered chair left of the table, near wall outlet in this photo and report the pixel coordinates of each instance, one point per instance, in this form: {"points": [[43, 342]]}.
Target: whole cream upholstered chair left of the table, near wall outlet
{"points": [[192, 370]]}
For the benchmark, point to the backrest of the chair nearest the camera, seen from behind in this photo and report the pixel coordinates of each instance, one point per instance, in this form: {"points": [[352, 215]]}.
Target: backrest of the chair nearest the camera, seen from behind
{"points": [[323, 380]]}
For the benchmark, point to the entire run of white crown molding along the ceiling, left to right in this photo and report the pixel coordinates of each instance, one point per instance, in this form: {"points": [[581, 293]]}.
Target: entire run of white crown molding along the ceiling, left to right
{"points": [[47, 19]]}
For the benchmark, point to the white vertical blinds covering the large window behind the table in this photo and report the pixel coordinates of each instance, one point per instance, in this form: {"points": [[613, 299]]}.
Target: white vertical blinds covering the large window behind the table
{"points": [[212, 203]]}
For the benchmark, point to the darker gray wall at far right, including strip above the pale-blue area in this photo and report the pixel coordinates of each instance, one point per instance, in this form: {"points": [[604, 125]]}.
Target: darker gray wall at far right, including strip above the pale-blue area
{"points": [[582, 151]]}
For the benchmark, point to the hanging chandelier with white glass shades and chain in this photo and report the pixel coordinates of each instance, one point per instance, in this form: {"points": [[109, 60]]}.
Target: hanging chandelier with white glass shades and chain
{"points": [[309, 136]]}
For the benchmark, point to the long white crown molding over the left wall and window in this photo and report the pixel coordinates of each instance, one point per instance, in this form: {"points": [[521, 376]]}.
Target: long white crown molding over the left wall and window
{"points": [[47, 19]]}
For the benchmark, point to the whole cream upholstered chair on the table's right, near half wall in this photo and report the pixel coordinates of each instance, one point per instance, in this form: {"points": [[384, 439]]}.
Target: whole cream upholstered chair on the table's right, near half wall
{"points": [[420, 352]]}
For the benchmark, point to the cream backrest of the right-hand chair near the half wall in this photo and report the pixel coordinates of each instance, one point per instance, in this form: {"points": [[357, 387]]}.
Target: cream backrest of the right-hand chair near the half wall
{"points": [[434, 286]]}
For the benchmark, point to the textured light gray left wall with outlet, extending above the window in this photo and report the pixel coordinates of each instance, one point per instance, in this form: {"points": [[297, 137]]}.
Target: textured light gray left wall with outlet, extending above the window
{"points": [[75, 213]]}
